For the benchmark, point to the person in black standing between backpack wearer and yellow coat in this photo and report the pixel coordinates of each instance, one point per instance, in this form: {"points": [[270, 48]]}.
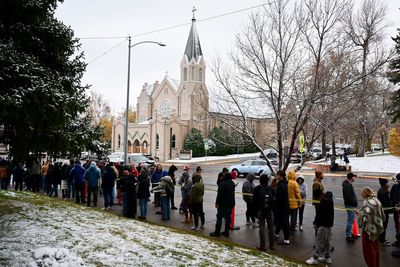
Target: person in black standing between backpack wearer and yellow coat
{"points": [[282, 207]]}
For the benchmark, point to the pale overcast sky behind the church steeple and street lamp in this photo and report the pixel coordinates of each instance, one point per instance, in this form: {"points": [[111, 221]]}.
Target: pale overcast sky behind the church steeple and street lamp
{"points": [[107, 74]]}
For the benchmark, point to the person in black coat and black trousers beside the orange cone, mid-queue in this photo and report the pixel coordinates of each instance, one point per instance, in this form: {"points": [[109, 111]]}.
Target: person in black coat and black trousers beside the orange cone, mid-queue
{"points": [[224, 203]]}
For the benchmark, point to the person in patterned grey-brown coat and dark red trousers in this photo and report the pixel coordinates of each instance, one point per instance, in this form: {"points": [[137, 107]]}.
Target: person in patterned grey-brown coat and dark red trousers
{"points": [[370, 219]]}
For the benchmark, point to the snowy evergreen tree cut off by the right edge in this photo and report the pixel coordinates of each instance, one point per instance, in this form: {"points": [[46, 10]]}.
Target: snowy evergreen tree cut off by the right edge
{"points": [[394, 76]]}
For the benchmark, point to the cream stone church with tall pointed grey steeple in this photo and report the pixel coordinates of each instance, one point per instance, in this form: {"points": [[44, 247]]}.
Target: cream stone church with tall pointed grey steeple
{"points": [[166, 111]]}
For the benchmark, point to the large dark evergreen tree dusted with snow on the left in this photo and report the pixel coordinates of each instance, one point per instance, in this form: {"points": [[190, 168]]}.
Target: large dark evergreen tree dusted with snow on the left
{"points": [[41, 95]]}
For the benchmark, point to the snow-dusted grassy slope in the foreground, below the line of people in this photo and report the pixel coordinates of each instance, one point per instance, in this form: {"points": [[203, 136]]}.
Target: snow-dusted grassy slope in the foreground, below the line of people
{"points": [[39, 231]]}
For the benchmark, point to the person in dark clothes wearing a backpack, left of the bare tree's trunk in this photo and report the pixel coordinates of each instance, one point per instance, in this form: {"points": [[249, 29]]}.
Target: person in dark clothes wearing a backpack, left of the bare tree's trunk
{"points": [[264, 202]]}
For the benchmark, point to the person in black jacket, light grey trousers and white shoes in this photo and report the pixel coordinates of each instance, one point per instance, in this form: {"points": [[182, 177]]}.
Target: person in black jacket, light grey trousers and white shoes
{"points": [[324, 218]]}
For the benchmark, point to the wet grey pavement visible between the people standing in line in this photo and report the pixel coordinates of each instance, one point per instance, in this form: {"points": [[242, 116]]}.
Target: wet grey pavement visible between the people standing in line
{"points": [[345, 254]]}
